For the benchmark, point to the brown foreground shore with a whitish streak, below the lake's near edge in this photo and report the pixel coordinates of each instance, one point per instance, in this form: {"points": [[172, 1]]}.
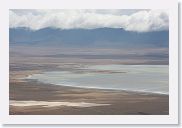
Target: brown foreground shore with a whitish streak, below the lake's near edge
{"points": [[34, 98]]}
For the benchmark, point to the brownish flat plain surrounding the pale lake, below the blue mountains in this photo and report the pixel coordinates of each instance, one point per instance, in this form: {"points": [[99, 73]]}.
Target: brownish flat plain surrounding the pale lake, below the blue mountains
{"points": [[31, 97]]}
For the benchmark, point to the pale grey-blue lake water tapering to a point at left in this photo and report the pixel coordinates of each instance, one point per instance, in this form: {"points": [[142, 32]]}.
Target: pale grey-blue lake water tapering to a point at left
{"points": [[144, 78]]}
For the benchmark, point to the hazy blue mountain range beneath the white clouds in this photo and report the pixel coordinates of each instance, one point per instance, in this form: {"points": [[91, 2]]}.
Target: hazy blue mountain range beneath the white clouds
{"points": [[100, 37]]}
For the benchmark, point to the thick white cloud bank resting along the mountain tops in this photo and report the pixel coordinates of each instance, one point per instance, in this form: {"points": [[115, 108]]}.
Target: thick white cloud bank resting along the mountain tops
{"points": [[131, 20]]}
